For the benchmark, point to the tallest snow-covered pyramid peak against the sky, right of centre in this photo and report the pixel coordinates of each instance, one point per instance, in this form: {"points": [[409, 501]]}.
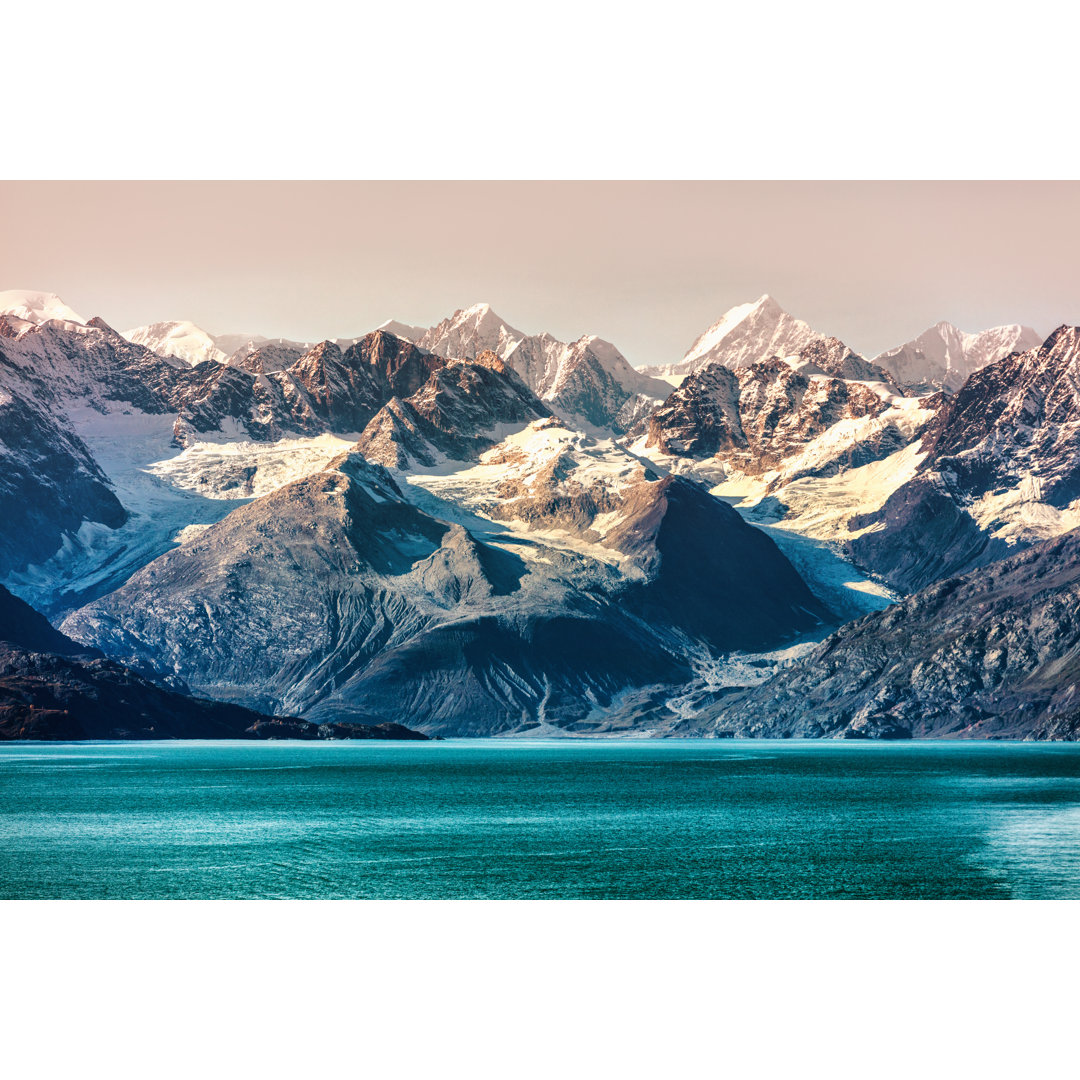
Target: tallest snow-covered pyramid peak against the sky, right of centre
{"points": [[744, 336]]}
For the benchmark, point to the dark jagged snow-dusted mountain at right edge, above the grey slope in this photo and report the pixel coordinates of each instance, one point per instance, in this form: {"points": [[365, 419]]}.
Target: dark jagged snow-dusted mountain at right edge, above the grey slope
{"points": [[1001, 468]]}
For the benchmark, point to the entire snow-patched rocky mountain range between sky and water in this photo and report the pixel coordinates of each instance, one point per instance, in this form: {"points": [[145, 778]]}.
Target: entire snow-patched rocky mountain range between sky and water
{"points": [[469, 530]]}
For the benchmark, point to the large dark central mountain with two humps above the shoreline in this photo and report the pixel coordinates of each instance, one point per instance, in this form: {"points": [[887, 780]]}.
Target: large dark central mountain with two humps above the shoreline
{"points": [[335, 598]]}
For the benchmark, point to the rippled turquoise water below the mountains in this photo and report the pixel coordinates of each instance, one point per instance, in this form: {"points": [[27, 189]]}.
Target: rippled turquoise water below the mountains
{"points": [[541, 819]]}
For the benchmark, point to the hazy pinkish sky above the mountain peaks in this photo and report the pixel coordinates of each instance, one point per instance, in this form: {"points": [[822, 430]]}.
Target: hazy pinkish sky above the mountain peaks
{"points": [[646, 265]]}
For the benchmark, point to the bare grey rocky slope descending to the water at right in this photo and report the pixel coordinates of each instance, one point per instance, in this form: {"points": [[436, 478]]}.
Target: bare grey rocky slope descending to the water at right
{"points": [[993, 654]]}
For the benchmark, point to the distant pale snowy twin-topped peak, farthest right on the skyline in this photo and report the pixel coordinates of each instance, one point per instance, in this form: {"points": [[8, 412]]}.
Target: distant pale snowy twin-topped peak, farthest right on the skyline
{"points": [[943, 357]]}
